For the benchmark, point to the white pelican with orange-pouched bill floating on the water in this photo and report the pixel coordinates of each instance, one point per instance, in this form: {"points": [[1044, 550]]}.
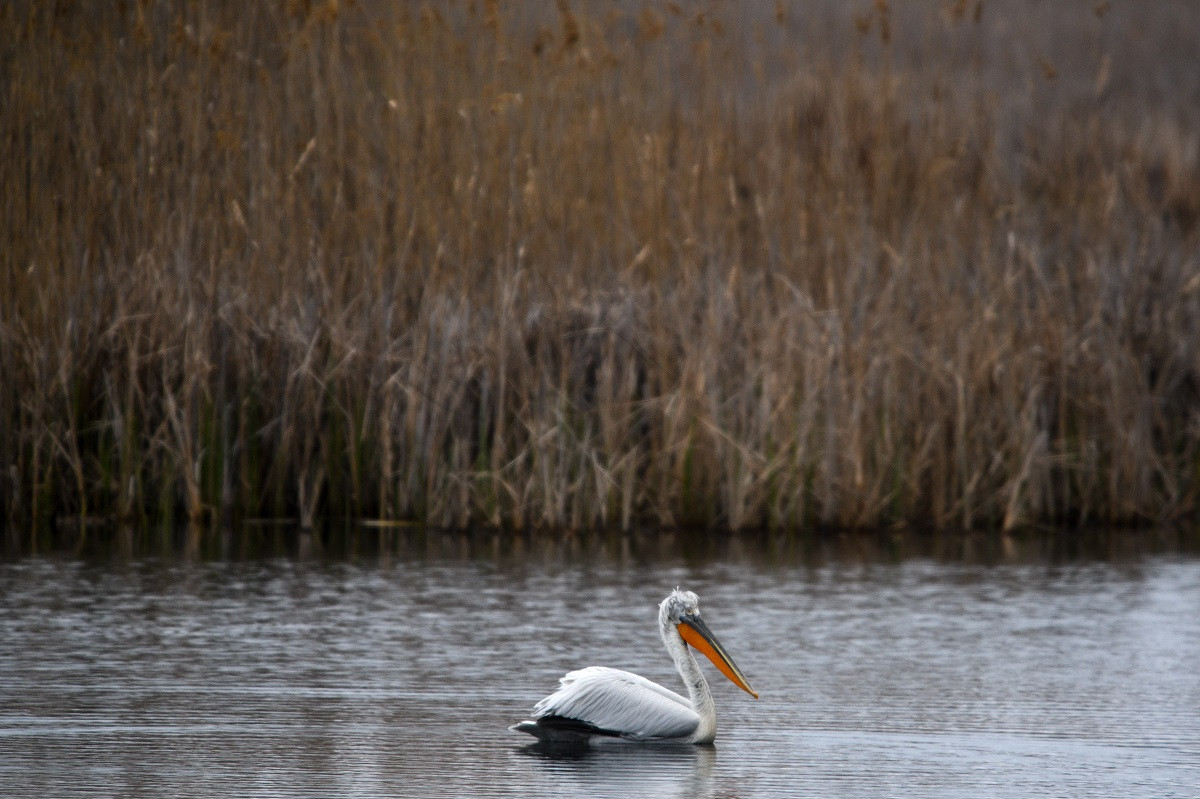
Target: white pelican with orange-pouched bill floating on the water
{"points": [[599, 701]]}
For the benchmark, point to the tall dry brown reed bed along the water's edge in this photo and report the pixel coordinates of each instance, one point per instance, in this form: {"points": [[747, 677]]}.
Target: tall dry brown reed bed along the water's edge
{"points": [[604, 265]]}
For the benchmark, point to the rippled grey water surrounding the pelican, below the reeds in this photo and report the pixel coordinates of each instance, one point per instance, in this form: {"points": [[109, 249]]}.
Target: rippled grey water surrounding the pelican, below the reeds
{"points": [[398, 672]]}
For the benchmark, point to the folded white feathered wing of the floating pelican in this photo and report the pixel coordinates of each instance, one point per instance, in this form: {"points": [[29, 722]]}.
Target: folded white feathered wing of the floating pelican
{"points": [[620, 704]]}
